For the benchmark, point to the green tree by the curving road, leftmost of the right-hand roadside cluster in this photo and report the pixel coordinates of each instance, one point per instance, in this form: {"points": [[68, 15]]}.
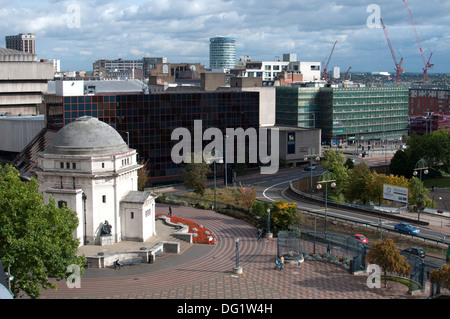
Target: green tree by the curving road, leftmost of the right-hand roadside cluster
{"points": [[334, 162]]}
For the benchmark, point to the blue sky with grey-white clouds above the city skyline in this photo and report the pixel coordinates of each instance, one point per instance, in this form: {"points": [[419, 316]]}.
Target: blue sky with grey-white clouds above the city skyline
{"points": [[80, 32]]}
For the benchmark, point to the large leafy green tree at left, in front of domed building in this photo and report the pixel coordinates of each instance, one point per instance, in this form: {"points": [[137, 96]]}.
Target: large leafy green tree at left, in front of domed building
{"points": [[36, 239]]}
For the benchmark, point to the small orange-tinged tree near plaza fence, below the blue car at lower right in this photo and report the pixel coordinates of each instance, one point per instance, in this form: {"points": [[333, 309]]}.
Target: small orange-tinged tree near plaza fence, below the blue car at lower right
{"points": [[386, 255]]}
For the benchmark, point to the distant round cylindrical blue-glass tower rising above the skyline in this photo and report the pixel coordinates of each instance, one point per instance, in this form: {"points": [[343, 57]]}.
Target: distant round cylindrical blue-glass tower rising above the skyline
{"points": [[222, 53]]}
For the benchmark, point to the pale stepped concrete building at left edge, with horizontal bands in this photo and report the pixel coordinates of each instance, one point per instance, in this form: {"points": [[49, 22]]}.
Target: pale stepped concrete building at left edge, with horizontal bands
{"points": [[22, 81]]}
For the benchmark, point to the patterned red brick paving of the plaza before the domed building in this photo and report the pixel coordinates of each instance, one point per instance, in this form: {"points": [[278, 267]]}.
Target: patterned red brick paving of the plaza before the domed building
{"points": [[205, 272]]}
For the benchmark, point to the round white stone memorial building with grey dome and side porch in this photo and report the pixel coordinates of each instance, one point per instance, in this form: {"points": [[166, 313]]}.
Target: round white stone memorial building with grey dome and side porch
{"points": [[88, 167]]}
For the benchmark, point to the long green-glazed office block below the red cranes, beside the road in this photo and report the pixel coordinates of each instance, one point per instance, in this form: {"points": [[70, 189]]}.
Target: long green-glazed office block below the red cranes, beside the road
{"points": [[346, 113]]}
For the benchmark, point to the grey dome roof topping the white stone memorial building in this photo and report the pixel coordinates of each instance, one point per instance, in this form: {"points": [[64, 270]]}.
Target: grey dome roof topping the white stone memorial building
{"points": [[87, 136]]}
